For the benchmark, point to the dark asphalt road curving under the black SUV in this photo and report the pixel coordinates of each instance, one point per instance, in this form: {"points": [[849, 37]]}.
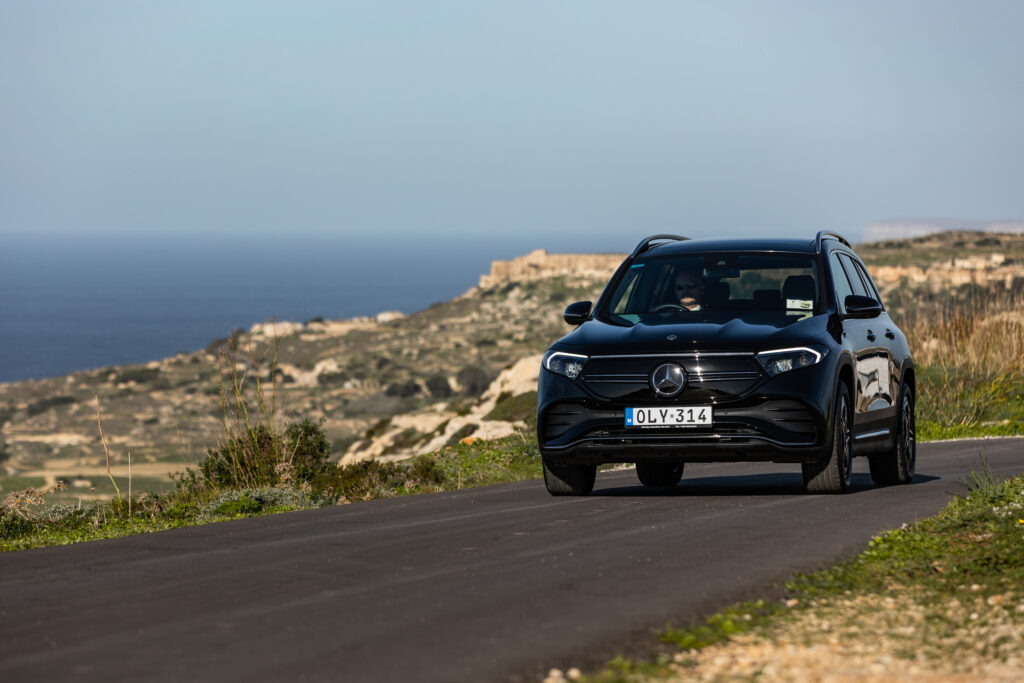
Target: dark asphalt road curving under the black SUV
{"points": [[485, 585]]}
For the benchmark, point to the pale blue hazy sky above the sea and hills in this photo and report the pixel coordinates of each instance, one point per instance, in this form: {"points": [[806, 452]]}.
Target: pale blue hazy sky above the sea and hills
{"points": [[587, 119]]}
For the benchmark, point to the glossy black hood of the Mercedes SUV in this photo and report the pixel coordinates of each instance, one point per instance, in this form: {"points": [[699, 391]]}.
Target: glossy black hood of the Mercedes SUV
{"points": [[595, 337]]}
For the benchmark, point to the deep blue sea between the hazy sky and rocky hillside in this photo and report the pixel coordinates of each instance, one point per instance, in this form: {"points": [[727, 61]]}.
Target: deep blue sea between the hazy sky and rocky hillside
{"points": [[78, 304]]}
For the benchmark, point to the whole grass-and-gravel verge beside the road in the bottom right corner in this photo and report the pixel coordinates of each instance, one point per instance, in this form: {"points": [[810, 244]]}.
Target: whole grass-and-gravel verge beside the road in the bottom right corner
{"points": [[945, 595]]}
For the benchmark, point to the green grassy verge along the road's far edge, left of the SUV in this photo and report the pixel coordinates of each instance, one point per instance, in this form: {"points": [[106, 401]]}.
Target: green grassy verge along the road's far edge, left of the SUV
{"points": [[36, 521]]}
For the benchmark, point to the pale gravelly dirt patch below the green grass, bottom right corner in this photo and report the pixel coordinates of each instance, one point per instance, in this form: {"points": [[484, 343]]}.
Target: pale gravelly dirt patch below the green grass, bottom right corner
{"points": [[876, 638]]}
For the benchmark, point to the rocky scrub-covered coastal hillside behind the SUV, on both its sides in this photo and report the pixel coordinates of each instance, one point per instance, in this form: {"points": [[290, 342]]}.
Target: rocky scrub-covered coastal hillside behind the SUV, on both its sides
{"points": [[395, 386]]}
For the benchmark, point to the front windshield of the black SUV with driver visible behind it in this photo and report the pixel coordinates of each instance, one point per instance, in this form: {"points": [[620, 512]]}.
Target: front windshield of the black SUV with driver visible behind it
{"points": [[715, 288]]}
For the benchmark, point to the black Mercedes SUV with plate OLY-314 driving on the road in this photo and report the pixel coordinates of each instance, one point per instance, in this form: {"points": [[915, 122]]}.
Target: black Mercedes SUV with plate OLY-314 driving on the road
{"points": [[730, 351]]}
